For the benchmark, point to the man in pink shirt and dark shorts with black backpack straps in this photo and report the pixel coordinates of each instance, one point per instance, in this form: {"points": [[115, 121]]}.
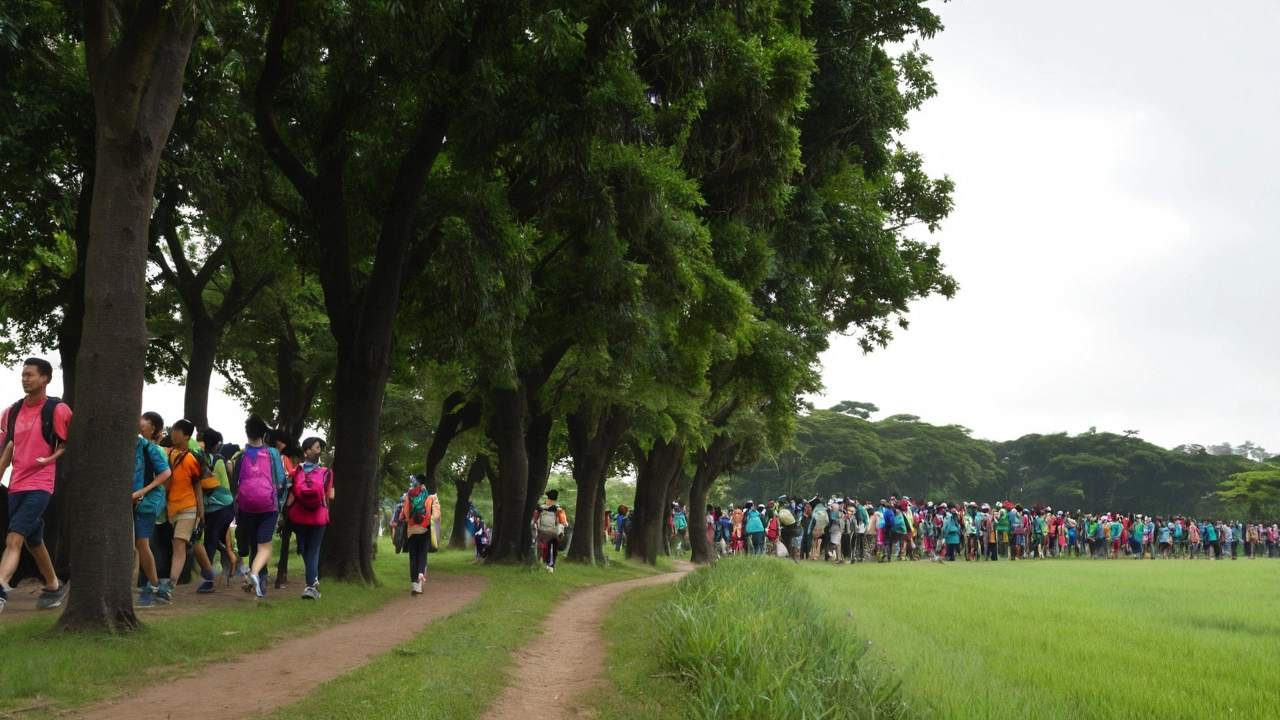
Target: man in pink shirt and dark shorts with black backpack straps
{"points": [[33, 432]]}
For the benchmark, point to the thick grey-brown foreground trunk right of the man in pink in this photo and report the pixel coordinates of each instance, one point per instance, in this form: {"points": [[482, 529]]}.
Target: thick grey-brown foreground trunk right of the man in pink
{"points": [[138, 89]]}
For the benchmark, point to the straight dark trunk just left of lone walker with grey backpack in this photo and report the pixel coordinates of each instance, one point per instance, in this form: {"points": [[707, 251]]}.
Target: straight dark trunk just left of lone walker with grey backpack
{"points": [[508, 432]]}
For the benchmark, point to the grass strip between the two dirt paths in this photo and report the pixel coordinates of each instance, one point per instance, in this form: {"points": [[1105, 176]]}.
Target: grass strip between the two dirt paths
{"points": [[458, 666]]}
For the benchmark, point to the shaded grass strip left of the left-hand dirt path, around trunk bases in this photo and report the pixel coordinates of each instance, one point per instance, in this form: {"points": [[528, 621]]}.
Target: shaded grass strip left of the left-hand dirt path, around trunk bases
{"points": [[57, 672]]}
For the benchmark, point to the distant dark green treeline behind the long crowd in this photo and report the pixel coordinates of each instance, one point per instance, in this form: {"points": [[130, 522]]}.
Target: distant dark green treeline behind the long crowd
{"points": [[842, 452]]}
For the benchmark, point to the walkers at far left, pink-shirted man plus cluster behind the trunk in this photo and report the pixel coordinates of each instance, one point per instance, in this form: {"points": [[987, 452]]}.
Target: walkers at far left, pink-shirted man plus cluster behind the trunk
{"points": [[190, 491]]}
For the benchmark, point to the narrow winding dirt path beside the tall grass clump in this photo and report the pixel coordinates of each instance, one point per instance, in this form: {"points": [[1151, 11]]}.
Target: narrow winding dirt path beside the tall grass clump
{"points": [[566, 662]]}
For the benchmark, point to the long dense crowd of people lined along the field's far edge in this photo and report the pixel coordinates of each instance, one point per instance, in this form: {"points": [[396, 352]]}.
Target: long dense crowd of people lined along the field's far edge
{"points": [[847, 530]]}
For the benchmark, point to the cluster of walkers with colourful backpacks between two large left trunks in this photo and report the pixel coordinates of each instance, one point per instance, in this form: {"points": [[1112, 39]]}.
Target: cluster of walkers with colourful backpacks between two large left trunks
{"points": [[190, 490]]}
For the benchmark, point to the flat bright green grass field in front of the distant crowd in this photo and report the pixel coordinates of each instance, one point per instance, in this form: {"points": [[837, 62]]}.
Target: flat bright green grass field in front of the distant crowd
{"points": [[1069, 640]]}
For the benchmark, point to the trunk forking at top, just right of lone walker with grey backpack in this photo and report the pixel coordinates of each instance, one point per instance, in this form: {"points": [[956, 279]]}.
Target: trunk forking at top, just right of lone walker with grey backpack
{"points": [[593, 440]]}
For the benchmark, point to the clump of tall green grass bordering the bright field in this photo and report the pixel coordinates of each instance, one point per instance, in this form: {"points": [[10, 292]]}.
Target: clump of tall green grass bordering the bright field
{"points": [[751, 641]]}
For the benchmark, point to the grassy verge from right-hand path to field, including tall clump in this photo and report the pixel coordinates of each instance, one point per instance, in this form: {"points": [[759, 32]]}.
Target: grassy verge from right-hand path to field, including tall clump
{"points": [[743, 640]]}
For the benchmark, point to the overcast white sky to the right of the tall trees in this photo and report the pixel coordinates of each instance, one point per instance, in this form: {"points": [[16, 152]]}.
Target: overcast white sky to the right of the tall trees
{"points": [[1117, 171]]}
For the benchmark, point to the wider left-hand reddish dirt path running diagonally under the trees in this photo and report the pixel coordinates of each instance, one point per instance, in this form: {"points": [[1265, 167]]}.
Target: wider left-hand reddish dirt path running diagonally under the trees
{"points": [[292, 669]]}
